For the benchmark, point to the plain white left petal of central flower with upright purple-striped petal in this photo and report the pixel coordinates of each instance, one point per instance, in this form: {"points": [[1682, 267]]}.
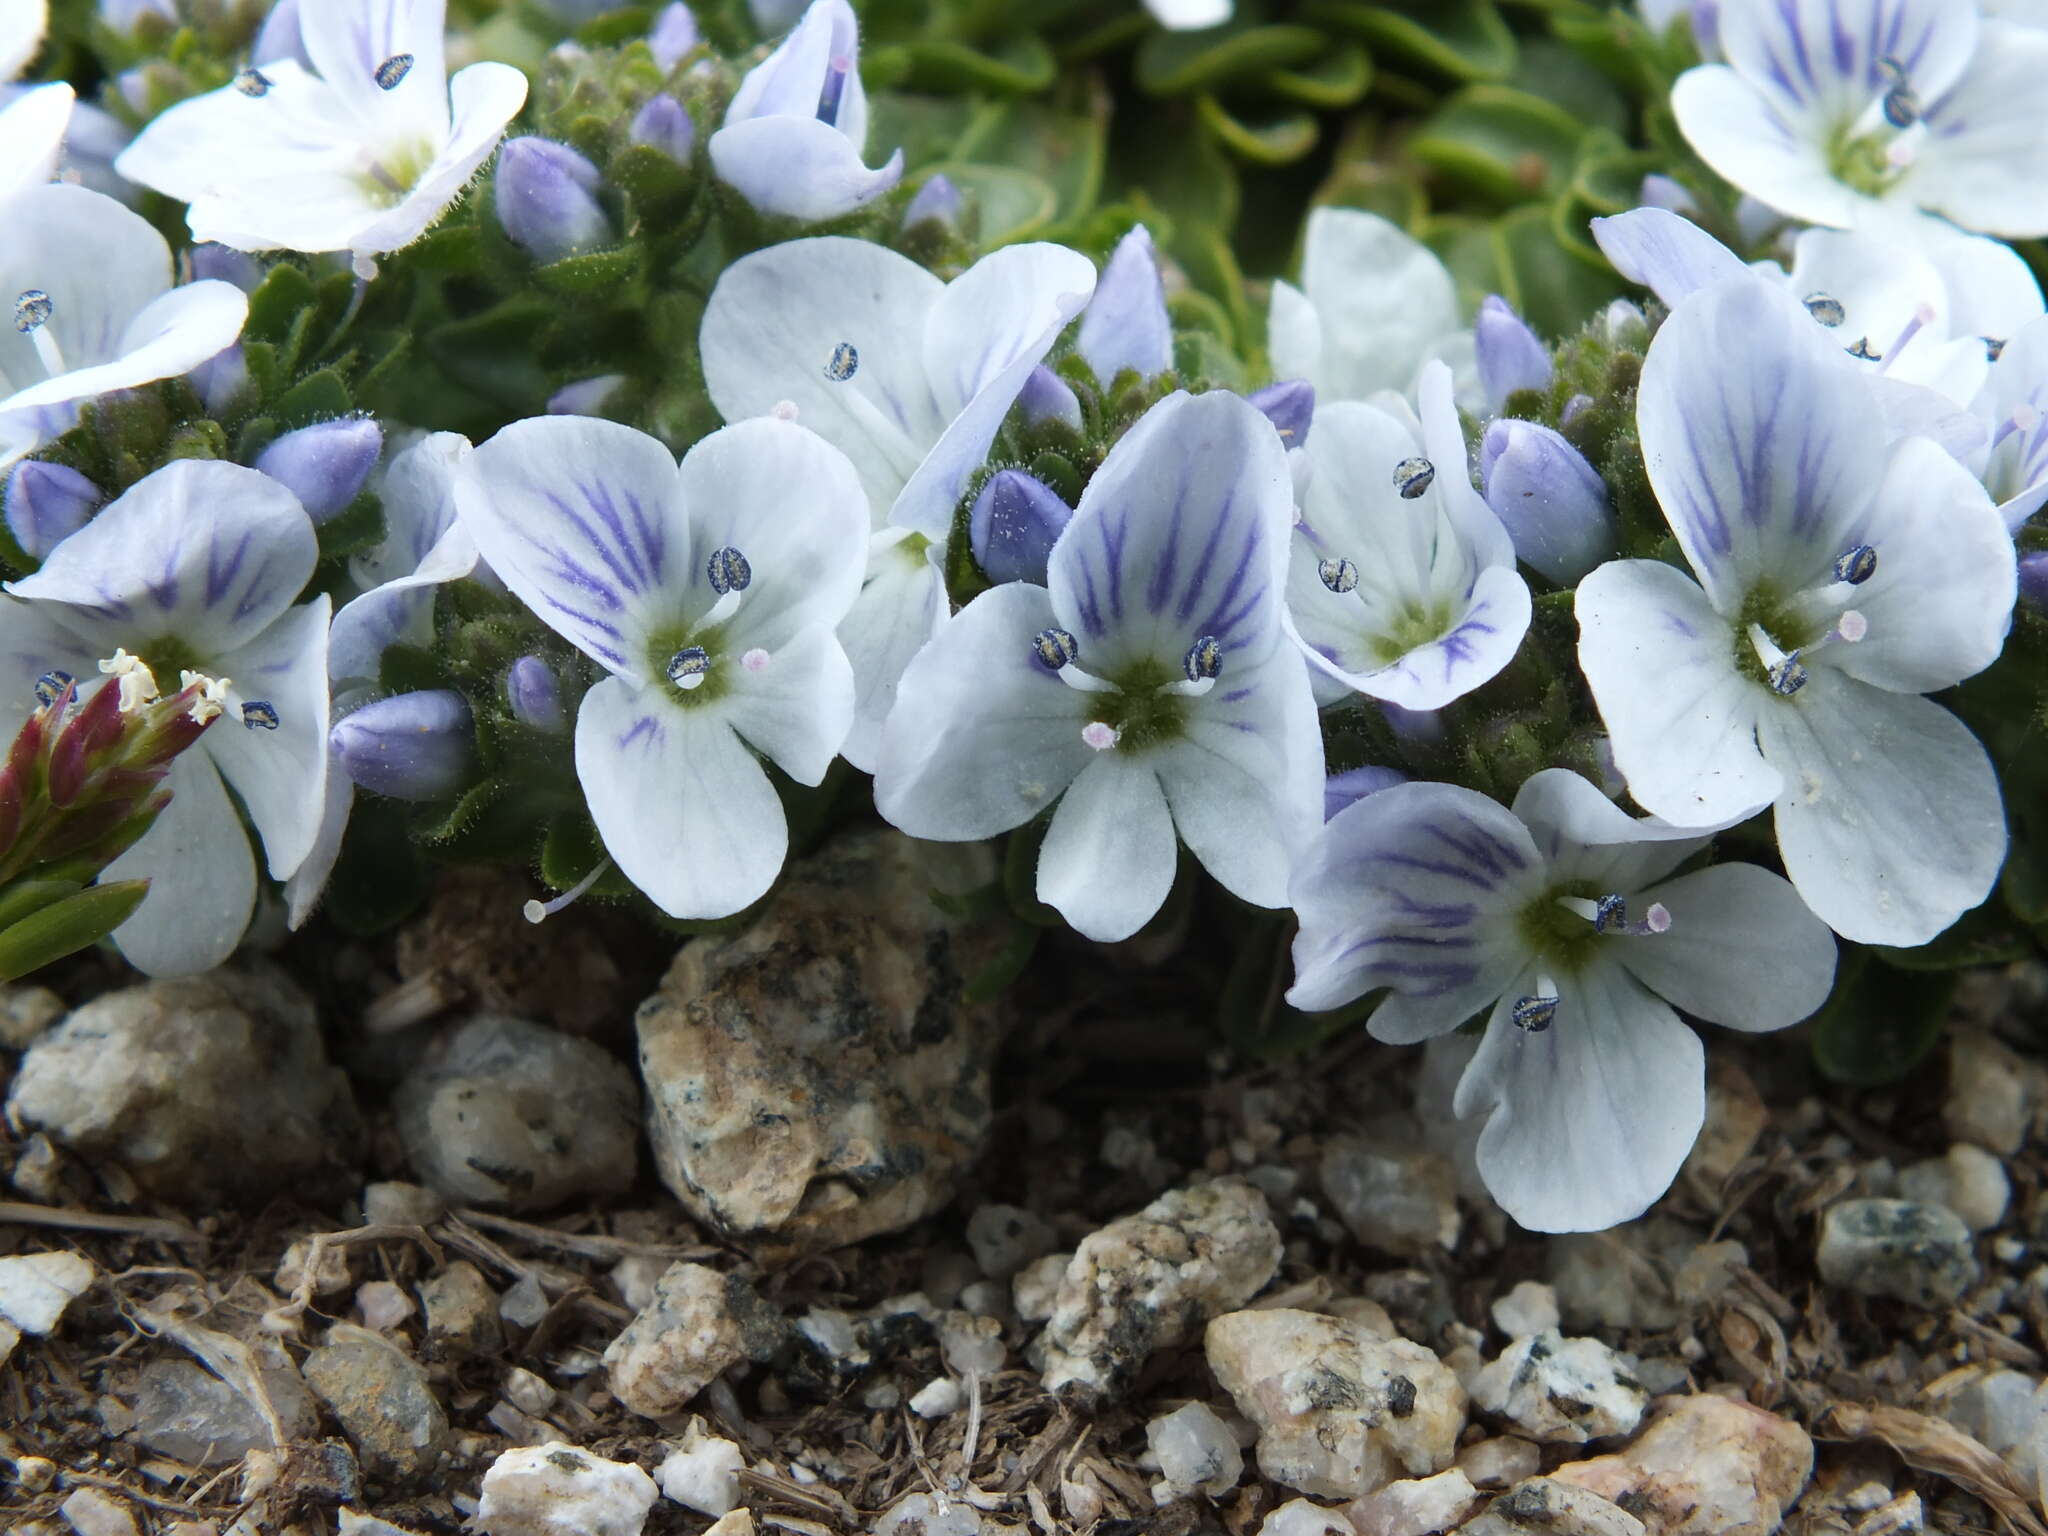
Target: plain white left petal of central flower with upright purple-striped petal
{"points": [[982, 736]]}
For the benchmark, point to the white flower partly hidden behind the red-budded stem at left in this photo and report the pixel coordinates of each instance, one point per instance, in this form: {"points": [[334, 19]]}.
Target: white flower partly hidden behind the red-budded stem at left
{"points": [[196, 570]]}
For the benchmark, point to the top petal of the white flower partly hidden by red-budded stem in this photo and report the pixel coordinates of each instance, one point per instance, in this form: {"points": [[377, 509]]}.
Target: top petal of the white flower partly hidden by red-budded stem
{"points": [[206, 552]]}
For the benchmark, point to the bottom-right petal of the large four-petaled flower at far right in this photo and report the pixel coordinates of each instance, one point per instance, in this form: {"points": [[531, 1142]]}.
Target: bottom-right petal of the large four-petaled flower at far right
{"points": [[1891, 822]]}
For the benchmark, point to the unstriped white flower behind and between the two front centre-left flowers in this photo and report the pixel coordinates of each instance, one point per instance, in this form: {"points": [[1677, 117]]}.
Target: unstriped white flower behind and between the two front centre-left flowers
{"points": [[904, 374]]}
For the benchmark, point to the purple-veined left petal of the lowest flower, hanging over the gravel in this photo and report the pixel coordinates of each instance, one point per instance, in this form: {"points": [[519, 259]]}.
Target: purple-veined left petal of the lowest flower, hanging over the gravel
{"points": [[1414, 890]]}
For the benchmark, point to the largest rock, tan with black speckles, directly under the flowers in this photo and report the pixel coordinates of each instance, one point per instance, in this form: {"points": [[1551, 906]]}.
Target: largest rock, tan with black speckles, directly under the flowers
{"points": [[818, 1076]]}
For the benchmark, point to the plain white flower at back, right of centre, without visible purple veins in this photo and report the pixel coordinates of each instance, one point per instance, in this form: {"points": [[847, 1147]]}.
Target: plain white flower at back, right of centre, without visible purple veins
{"points": [[1373, 306]]}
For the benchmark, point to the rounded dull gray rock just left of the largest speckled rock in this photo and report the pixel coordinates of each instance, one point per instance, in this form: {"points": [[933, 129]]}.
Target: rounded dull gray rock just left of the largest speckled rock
{"points": [[521, 1117]]}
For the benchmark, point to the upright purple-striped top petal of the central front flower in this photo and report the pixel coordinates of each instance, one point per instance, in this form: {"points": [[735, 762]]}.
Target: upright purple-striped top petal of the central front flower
{"points": [[1181, 536]]}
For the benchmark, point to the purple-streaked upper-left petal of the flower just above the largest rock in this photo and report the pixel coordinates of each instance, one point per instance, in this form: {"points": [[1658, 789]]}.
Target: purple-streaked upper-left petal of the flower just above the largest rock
{"points": [[585, 523]]}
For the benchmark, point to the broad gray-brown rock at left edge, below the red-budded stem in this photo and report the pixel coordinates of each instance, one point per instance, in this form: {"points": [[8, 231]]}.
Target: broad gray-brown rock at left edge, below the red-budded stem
{"points": [[204, 1089]]}
